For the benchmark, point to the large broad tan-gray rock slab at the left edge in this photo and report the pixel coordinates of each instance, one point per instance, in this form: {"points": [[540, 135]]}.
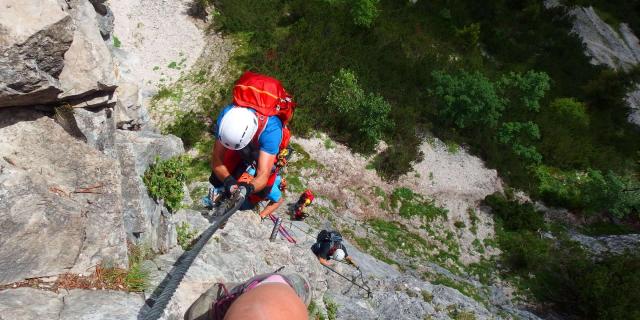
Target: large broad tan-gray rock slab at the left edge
{"points": [[60, 201]]}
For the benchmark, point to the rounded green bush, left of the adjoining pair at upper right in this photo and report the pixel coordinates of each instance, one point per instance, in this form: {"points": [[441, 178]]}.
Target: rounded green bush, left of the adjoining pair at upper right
{"points": [[467, 99]]}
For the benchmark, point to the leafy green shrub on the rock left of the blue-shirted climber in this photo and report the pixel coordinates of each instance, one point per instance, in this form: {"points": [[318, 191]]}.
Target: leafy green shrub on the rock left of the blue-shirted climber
{"points": [[164, 180]]}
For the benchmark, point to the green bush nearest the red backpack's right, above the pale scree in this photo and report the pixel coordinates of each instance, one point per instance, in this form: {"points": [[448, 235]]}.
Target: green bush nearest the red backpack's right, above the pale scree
{"points": [[366, 115]]}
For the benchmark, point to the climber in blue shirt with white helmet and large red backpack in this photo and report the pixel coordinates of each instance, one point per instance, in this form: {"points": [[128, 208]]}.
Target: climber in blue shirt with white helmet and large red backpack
{"points": [[251, 131]]}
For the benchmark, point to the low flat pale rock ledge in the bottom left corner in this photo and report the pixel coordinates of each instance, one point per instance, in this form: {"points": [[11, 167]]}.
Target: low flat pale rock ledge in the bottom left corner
{"points": [[34, 304]]}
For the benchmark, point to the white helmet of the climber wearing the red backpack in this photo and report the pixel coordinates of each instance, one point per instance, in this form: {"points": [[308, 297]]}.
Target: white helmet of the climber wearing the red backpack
{"points": [[237, 128]]}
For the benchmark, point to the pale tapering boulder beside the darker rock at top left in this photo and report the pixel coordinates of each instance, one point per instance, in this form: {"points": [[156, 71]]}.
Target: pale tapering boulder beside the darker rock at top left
{"points": [[88, 64]]}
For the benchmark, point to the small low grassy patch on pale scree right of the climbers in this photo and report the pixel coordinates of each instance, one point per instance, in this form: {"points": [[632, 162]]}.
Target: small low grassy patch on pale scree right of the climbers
{"points": [[412, 204]]}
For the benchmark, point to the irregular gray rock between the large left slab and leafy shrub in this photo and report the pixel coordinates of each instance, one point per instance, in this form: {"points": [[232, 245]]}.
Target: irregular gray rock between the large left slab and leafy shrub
{"points": [[145, 221]]}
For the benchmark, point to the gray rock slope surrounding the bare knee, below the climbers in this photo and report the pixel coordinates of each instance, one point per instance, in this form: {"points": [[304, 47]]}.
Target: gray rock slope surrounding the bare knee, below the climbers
{"points": [[242, 249]]}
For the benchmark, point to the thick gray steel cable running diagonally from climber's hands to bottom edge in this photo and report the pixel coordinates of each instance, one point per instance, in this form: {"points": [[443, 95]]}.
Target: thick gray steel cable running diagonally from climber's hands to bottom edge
{"points": [[228, 208]]}
